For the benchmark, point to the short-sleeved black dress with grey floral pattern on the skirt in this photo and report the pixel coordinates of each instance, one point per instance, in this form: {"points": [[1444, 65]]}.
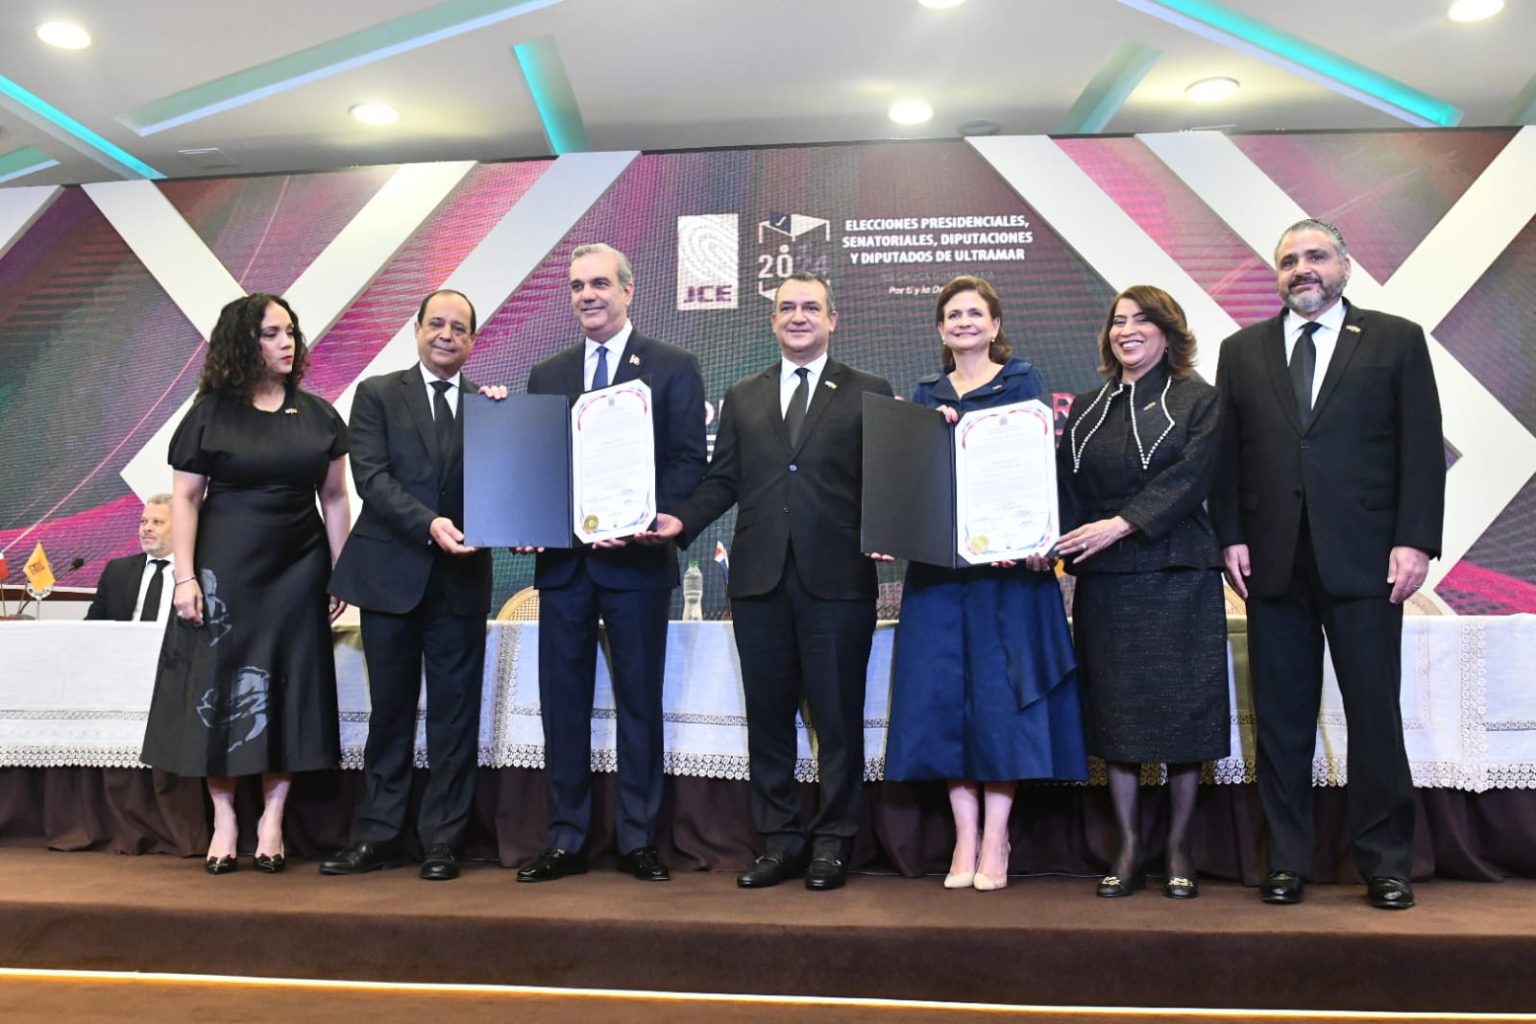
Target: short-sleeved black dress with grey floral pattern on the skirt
{"points": [[254, 689]]}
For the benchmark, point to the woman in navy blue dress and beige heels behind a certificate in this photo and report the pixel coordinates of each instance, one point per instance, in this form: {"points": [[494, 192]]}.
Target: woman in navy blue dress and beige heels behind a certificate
{"points": [[985, 689]]}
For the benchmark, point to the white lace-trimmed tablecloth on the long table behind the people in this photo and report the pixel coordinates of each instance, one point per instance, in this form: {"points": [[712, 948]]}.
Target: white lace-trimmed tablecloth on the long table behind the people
{"points": [[78, 693]]}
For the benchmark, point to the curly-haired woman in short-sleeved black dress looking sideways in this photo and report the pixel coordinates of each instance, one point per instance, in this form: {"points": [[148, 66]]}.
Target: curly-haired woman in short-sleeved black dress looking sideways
{"points": [[248, 682]]}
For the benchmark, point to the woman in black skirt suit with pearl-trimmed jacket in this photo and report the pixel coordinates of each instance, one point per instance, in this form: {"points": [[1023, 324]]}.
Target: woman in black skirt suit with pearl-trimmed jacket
{"points": [[1134, 469]]}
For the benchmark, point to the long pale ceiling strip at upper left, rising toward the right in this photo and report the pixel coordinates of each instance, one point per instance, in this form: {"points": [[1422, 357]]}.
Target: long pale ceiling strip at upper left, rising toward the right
{"points": [[328, 59]]}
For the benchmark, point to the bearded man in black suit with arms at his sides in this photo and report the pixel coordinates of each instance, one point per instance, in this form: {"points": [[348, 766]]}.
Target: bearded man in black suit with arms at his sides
{"points": [[1329, 506]]}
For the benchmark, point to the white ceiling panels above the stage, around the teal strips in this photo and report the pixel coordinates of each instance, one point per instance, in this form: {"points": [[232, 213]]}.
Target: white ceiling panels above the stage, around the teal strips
{"points": [[669, 74]]}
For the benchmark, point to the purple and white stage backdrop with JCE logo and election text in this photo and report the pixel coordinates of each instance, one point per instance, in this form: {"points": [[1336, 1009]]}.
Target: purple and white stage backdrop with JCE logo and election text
{"points": [[108, 291]]}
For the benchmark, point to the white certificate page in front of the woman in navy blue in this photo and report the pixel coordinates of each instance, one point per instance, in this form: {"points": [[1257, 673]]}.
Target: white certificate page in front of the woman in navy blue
{"points": [[1005, 483]]}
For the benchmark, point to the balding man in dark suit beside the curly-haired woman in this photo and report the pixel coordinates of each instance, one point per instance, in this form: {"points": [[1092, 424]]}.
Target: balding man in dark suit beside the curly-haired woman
{"points": [[422, 592]]}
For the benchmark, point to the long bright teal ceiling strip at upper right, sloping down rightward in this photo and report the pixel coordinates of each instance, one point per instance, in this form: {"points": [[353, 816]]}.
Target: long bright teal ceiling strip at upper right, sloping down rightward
{"points": [[1296, 55]]}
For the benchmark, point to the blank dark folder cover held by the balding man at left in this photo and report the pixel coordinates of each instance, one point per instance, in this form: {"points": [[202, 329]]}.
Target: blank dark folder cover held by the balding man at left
{"points": [[517, 472]]}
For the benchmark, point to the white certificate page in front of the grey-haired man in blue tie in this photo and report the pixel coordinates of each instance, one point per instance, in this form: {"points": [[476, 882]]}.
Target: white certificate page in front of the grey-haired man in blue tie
{"points": [[614, 463]]}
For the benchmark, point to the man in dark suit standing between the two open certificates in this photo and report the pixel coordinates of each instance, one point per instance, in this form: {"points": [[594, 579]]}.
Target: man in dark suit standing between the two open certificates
{"points": [[790, 457]]}
